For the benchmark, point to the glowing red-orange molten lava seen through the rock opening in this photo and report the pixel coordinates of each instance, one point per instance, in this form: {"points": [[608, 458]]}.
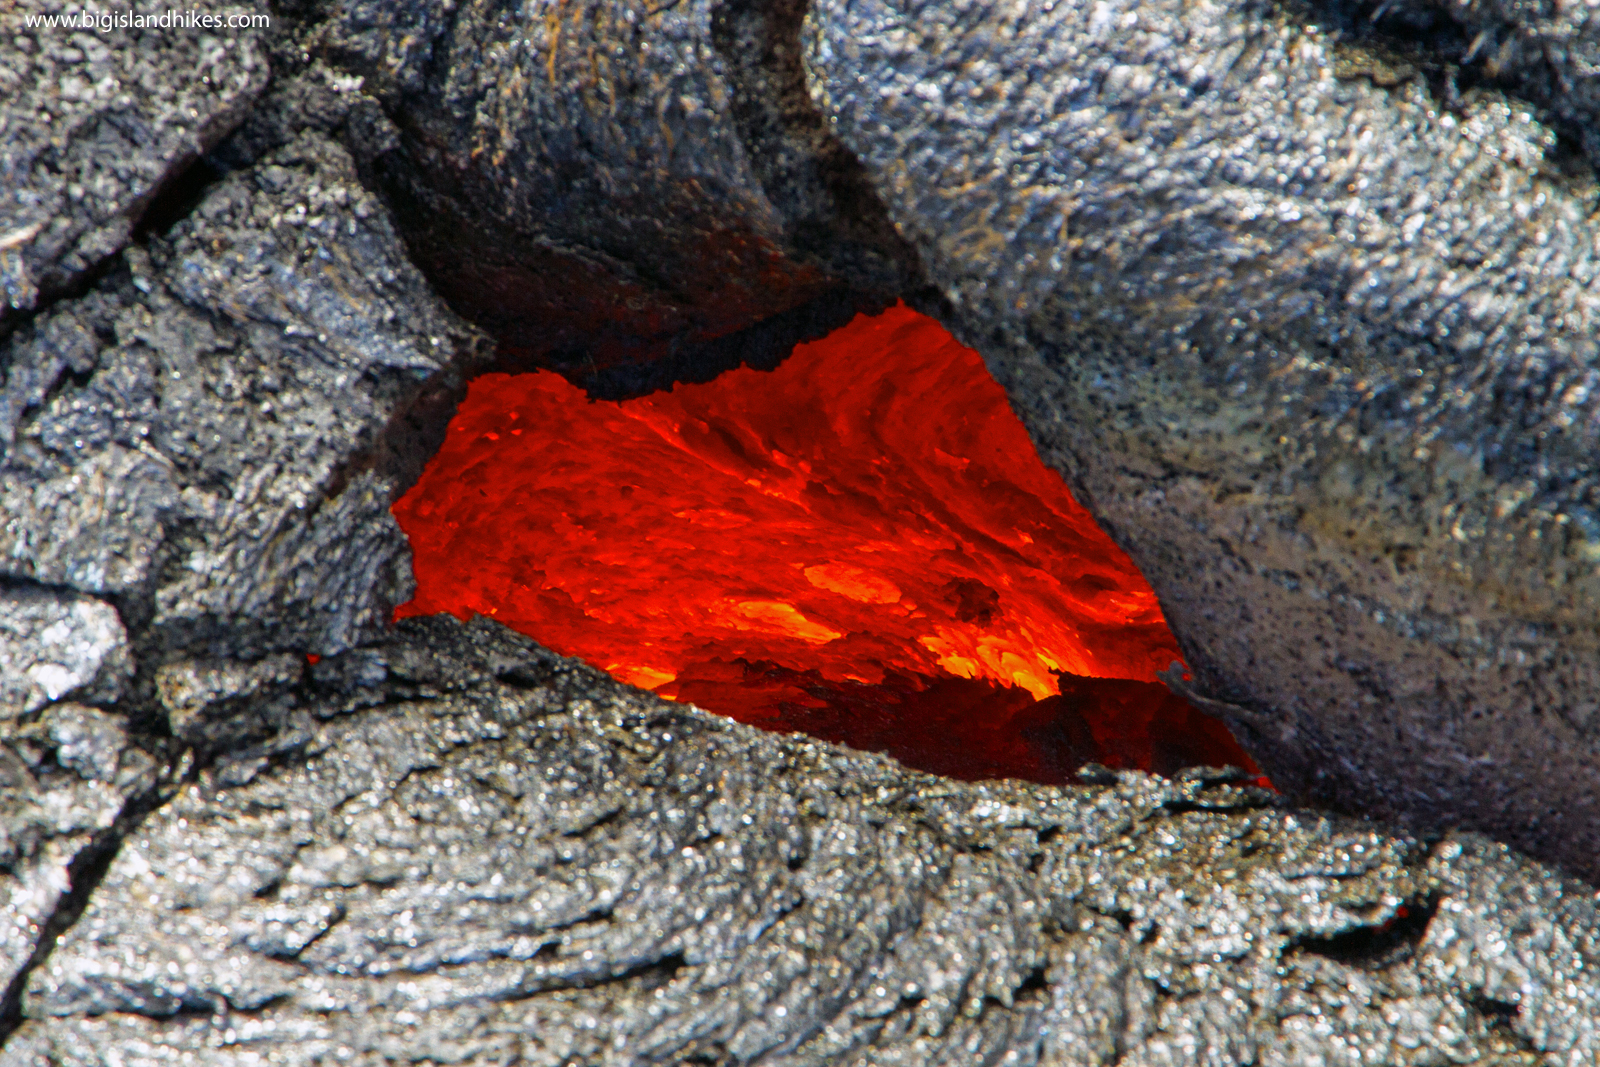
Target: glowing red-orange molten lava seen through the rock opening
{"points": [[862, 545]]}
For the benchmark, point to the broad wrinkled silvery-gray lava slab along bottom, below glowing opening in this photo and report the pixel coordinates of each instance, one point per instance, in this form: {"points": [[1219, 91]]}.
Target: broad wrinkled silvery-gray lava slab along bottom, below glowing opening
{"points": [[468, 850]]}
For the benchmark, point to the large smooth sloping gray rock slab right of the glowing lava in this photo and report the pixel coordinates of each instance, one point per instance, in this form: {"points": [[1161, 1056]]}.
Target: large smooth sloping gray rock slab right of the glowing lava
{"points": [[1321, 356]]}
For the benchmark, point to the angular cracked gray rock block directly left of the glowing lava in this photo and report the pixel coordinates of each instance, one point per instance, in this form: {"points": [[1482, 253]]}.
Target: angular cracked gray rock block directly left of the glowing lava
{"points": [[254, 393]]}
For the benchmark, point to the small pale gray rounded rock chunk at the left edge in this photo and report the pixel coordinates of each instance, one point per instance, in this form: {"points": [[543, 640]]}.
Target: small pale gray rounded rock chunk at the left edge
{"points": [[54, 645]]}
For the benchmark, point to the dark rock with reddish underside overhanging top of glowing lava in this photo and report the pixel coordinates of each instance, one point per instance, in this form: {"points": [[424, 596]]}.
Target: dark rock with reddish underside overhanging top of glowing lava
{"points": [[604, 186]]}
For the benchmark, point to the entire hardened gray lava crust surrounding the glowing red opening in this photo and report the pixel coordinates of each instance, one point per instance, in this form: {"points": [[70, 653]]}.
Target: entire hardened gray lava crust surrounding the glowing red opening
{"points": [[449, 845]]}
